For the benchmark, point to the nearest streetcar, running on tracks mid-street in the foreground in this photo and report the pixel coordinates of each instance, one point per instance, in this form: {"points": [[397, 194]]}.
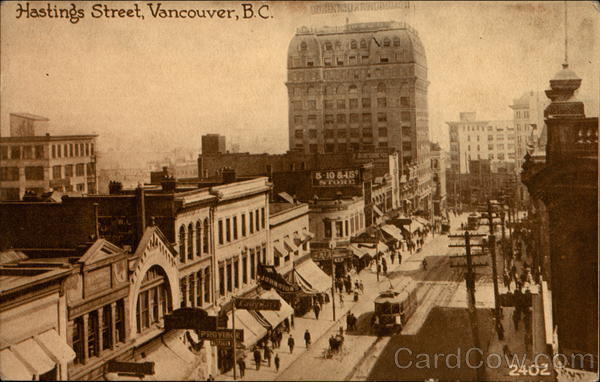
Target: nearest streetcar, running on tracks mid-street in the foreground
{"points": [[394, 307]]}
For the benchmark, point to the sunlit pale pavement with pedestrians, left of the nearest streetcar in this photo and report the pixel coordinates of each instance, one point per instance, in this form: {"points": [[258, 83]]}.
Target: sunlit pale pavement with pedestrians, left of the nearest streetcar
{"points": [[307, 365]]}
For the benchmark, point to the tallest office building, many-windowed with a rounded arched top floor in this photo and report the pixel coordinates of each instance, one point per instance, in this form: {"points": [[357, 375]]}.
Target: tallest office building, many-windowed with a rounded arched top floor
{"points": [[361, 87]]}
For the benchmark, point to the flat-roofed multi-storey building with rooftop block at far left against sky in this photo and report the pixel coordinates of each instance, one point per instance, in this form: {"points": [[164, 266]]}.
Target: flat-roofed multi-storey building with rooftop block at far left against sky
{"points": [[34, 161]]}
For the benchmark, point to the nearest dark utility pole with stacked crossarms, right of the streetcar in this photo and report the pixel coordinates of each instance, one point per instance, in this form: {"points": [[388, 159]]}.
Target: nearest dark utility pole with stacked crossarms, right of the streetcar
{"points": [[470, 283]]}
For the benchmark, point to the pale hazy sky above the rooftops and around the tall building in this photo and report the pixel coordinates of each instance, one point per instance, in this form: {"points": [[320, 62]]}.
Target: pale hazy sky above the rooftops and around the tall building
{"points": [[157, 84]]}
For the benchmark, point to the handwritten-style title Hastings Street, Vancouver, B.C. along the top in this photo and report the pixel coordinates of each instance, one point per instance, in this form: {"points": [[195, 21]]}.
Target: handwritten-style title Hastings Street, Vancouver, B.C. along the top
{"points": [[73, 13]]}
